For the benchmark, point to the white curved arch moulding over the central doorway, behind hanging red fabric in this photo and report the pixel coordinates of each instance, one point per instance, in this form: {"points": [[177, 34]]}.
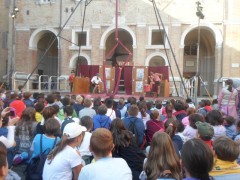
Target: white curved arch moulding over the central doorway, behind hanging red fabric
{"points": [[112, 29]]}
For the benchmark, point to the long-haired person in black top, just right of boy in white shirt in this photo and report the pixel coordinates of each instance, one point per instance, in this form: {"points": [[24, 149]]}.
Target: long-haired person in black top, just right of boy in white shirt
{"points": [[126, 148]]}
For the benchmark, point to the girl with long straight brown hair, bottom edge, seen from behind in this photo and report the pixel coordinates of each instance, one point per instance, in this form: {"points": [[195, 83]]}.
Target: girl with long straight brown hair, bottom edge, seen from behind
{"points": [[162, 161]]}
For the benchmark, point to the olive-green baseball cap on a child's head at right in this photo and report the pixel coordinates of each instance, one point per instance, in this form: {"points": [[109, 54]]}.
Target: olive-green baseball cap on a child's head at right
{"points": [[205, 130]]}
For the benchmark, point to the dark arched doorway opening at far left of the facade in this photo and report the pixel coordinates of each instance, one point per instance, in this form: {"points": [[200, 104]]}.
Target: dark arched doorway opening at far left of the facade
{"points": [[49, 64]]}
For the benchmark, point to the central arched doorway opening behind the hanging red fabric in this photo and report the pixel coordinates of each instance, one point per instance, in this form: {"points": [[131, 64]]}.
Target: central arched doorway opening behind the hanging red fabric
{"points": [[121, 54]]}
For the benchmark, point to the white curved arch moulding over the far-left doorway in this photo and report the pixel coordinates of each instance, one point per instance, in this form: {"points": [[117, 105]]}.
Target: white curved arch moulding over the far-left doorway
{"points": [[36, 36]]}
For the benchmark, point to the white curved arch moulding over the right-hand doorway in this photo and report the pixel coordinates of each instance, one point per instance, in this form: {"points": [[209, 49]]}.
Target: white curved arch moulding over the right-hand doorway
{"points": [[208, 26]]}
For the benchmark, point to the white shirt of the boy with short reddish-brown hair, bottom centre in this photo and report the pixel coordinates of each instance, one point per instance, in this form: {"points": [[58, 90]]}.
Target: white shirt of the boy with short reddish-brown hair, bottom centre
{"points": [[106, 168]]}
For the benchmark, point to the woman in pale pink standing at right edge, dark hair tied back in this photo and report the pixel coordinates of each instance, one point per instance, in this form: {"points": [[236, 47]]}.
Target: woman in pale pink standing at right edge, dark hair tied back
{"points": [[228, 100]]}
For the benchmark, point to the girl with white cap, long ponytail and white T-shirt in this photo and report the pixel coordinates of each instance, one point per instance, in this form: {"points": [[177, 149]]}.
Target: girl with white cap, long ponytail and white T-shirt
{"points": [[64, 161]]}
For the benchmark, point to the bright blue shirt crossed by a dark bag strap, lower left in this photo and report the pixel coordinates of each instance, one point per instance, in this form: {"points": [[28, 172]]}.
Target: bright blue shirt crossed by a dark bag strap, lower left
{"points": [[47, 142]]}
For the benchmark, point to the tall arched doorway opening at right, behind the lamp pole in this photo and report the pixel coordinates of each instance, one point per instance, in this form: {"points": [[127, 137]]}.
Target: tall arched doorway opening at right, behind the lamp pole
{"points": [[206, 58]]}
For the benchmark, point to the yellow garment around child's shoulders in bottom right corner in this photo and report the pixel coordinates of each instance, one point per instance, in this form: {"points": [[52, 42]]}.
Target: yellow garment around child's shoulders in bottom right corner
{"points": [[221, 167]]}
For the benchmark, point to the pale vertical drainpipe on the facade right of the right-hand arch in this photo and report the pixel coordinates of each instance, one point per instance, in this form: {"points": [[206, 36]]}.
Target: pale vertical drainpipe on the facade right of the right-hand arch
{"points": [[223, 31]]}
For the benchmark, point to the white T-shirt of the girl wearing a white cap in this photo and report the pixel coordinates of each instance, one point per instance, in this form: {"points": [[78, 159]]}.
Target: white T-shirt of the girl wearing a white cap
{"points": [[61, 166]]}
